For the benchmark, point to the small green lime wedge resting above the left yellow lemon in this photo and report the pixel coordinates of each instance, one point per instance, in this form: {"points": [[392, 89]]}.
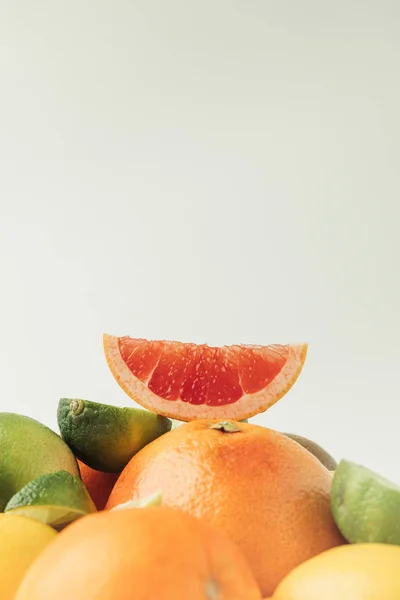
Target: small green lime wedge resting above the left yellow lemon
{"points": [[56, 499]]}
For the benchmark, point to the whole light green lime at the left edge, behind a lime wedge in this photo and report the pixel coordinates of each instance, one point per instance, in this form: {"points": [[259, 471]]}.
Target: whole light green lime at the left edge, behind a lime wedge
{"points": [[29, 449]]}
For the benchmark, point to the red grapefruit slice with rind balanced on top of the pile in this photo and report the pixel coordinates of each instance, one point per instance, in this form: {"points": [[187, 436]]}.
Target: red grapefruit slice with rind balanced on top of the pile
{"points": [[189, 381]]}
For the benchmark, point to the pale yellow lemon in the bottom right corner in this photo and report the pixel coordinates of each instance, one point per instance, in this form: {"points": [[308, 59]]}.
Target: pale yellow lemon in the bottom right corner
{"points": [[351, 572]]}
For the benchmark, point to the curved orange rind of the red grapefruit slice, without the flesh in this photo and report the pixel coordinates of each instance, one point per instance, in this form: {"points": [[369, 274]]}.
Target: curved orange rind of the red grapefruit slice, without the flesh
{"points": [[247, 406]]}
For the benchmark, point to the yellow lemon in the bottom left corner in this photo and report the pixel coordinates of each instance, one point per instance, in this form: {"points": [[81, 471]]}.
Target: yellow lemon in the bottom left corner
{"points": [[21, 541]]}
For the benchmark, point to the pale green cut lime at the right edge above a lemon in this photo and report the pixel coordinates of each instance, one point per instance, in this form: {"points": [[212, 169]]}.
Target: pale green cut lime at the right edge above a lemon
{"points": [[365, 506]]}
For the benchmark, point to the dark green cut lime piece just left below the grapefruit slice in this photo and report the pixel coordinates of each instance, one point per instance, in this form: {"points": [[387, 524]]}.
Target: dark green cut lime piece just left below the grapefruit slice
{"points": [[106, 437]]}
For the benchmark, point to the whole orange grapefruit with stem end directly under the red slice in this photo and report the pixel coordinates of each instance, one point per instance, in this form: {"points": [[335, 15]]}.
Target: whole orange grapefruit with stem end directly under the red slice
{"points": [[266, 491]]}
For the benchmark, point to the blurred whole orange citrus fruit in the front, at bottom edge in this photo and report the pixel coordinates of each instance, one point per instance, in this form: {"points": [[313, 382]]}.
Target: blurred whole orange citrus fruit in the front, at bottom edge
{"points": [[142, 553]]}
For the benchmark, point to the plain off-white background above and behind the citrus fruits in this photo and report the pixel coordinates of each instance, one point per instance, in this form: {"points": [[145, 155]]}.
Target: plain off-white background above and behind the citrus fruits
{"points": [[216, 171]]}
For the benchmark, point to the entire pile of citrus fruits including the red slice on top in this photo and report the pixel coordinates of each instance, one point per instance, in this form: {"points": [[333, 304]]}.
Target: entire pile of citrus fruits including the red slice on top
{"points": [[184, 498]]}
